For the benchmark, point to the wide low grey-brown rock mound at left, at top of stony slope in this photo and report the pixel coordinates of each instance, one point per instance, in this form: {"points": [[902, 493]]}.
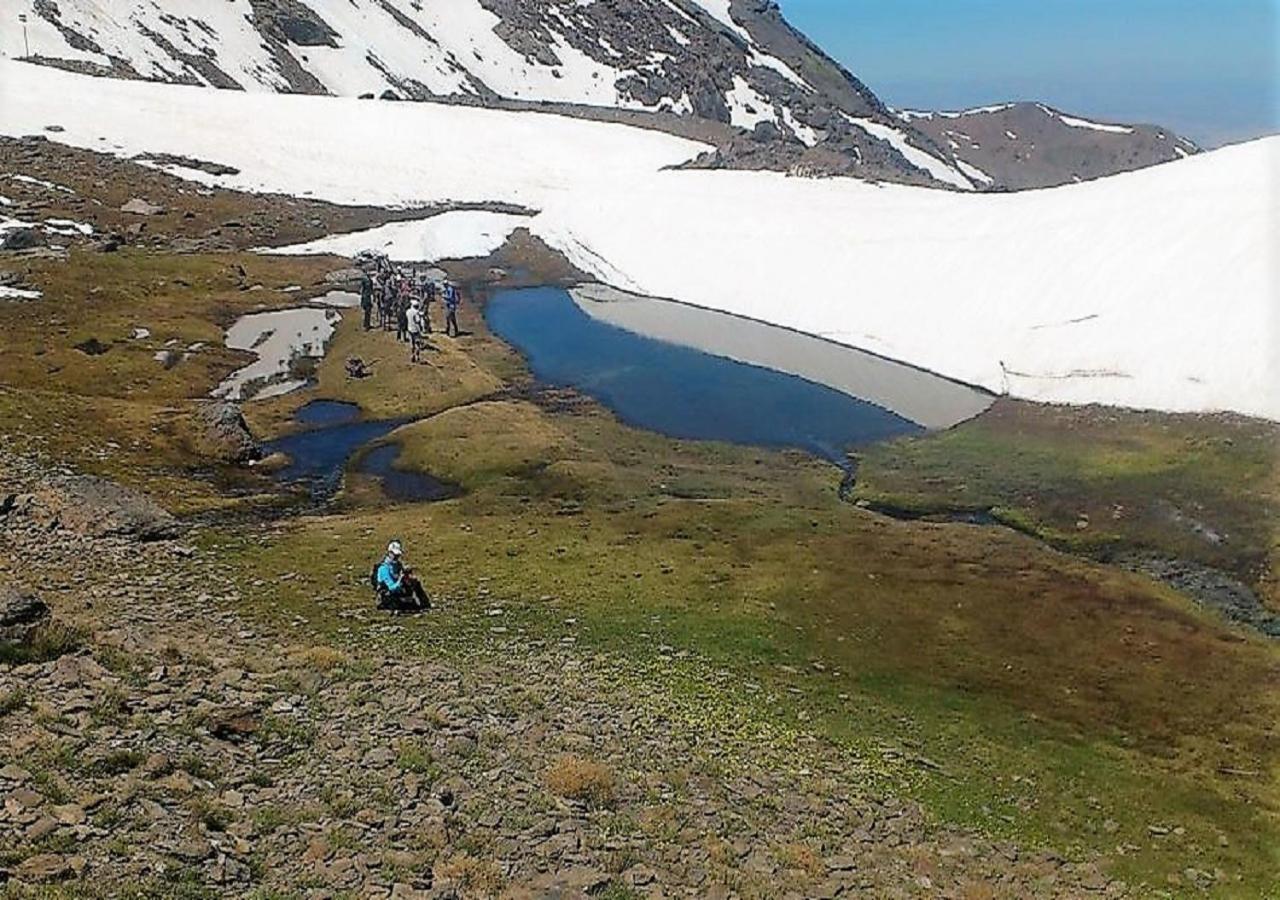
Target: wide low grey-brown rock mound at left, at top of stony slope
{"points": [[100, 509]]}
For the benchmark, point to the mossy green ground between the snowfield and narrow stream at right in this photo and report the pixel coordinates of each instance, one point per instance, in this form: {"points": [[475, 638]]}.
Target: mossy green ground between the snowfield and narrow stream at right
{"points": [[1204, 488]]}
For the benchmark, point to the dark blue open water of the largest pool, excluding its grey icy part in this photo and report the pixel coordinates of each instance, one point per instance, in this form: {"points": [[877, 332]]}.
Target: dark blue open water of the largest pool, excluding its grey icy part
{"points": [[680, 391]]}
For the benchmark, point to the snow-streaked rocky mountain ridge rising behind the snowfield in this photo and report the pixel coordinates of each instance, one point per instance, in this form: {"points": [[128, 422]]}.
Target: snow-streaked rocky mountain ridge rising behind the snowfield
{"points": [[733, 74]]}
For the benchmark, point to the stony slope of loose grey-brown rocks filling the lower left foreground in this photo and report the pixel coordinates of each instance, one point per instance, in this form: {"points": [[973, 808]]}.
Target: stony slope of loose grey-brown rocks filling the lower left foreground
{"points": [[164, 741]]}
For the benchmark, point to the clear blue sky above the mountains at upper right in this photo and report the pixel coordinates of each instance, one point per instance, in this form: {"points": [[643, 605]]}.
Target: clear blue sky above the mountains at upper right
{"points": [[1206, 68]]}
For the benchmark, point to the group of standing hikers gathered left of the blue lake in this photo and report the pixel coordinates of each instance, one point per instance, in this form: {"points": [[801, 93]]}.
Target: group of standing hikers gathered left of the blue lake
{"points": [[400, 300]]}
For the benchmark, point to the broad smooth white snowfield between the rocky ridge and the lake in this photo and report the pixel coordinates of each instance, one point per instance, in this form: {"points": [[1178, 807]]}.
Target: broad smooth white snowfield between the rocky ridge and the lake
{"points": [[1156, 289]]}
